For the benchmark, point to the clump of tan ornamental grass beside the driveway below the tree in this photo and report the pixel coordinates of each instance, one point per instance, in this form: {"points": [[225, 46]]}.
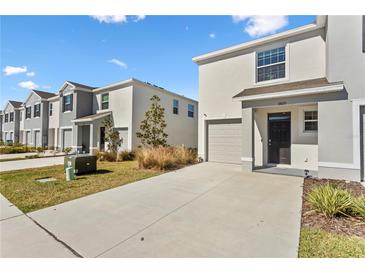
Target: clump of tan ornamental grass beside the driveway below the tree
{"points": [[163, 158]]}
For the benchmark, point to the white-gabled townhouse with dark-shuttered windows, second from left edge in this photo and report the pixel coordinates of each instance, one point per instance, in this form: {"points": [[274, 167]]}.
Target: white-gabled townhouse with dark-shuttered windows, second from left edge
{"points": [[34, 128]]}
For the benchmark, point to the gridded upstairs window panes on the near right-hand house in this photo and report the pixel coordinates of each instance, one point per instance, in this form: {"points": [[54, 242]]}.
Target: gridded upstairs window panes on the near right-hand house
{"points": [[271, 64]]}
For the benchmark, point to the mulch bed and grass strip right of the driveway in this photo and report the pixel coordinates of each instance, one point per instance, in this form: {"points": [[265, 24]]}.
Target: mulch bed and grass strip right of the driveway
{"points": [[339, 236]]}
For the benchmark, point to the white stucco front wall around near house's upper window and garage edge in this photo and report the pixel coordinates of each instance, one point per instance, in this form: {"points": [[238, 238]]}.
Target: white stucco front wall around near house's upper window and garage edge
{"points": [[220, 80]]}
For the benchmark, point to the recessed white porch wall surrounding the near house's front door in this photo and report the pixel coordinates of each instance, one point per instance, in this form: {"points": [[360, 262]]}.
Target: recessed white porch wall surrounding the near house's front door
{"points": [[304, 145]]}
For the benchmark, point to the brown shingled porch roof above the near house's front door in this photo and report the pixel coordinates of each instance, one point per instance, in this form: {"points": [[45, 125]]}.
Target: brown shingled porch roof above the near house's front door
{"points": [[312, 83]]}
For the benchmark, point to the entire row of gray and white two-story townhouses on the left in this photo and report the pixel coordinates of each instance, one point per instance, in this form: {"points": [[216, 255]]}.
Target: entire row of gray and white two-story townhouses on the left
{"points": [[73, 118]]}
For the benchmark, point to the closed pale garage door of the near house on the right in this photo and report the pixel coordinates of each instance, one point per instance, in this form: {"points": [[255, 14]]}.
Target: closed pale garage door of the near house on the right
{"points": [[225, 141]]}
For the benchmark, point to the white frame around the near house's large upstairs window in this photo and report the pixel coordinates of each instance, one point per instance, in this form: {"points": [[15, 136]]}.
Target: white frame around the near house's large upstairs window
{"points": [[284, 44]]}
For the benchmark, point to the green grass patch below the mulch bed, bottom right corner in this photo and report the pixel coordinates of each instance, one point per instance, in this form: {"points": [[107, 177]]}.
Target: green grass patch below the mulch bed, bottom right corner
{"points": [[315, 243]]}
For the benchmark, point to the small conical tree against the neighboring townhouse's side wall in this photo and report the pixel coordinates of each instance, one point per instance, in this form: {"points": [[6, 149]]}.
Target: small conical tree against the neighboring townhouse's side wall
{"points": [[152, 127]]}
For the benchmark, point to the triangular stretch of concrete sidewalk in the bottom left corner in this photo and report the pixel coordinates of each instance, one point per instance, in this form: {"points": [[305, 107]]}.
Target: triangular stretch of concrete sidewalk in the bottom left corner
{"points": [[20, 237]]}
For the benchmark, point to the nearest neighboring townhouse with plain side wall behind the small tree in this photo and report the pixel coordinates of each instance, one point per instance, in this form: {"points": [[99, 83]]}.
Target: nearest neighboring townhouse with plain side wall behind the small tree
{"points": [[125, 103]]}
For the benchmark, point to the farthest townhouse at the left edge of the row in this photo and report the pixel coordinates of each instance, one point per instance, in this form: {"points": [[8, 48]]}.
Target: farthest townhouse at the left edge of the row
{"points": [[11, 123]]}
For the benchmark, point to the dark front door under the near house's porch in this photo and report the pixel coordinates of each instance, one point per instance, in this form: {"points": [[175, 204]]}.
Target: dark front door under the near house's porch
{"points": [[279, 138]]}
